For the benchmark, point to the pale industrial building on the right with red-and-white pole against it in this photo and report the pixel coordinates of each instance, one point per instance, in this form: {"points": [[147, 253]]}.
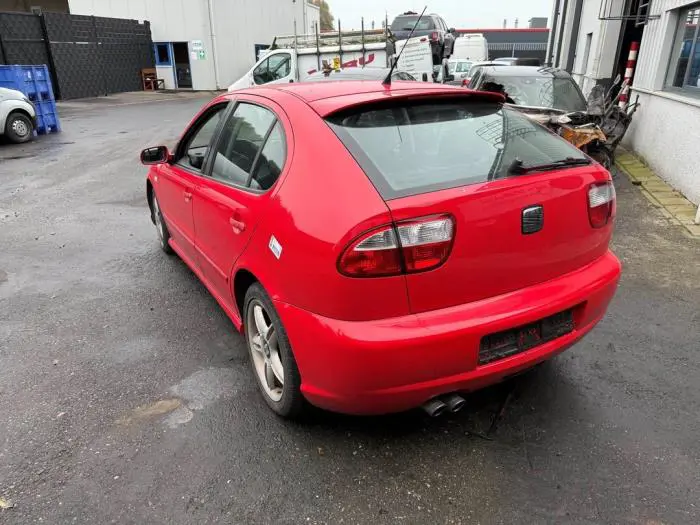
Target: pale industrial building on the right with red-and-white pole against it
{"points": [[593, 39]]}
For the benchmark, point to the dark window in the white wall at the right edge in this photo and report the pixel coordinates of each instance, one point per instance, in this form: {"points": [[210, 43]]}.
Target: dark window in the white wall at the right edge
{"points": [[684, 72]]}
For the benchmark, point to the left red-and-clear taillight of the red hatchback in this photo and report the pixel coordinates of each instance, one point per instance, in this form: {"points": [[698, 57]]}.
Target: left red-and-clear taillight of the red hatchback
{"points": [[411, 246]]}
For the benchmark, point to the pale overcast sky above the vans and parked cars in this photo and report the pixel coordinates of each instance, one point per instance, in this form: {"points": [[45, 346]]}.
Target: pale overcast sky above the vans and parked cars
{"points": [[457, 13]]}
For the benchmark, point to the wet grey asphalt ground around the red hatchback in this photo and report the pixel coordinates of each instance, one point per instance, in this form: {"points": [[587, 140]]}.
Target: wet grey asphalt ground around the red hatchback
{"points": [[126, 395]]}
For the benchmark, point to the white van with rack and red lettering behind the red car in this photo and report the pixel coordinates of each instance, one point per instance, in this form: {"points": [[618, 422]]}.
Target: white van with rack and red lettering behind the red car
{"points": [[293, 58]]}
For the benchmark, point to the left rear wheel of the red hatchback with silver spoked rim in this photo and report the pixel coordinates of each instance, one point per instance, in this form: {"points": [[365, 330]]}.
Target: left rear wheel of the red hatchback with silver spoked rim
{"points": [[271, 357]]}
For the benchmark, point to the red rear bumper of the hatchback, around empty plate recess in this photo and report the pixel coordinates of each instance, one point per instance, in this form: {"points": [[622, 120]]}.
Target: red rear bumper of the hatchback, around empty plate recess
{"points": [[390, 365]]}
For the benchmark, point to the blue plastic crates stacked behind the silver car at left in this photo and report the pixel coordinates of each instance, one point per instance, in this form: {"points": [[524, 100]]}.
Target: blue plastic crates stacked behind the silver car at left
{"points": [[35, 83]]}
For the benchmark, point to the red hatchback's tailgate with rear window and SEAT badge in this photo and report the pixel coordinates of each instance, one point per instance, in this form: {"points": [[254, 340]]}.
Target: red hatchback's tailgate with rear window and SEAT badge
{"points": [[517, 195]]}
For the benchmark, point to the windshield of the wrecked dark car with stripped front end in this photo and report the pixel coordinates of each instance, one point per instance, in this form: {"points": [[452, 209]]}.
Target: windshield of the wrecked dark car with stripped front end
{"points": [[546, 92]]}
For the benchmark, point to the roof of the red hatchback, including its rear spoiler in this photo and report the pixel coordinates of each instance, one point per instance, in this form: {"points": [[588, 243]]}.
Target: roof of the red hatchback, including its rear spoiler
{"points": [[330, 97]]}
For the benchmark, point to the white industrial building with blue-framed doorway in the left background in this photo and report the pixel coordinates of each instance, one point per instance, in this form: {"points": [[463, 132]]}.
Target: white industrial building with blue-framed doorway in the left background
{"points": [[207, 44]]}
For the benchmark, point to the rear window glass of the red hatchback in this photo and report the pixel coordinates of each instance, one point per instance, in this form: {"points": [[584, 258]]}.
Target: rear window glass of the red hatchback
{"points": [[420, 147]]}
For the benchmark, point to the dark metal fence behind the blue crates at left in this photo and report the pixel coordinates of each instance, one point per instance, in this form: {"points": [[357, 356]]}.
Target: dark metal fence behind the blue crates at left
{"points": [[88, 56]]}
